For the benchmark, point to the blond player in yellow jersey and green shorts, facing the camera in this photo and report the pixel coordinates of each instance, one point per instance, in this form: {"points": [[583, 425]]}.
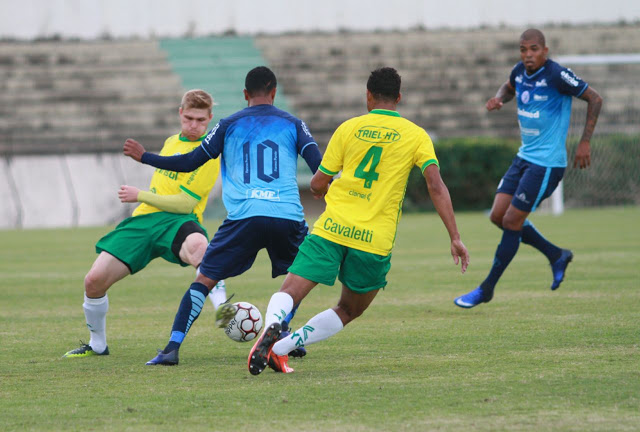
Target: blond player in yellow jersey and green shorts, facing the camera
{"points": [[166, 224]]}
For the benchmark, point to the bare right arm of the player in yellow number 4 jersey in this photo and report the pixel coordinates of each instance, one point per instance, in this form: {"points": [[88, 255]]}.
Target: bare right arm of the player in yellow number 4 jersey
{"points": [[442, 201]]}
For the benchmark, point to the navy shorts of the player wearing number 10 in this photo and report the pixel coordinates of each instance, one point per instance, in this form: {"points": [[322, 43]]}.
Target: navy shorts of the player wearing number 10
{"points": [[235, 245]]}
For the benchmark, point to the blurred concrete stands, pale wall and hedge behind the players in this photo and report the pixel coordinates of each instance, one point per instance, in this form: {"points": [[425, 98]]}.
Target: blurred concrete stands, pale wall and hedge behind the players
{"points": [[79, 77]]}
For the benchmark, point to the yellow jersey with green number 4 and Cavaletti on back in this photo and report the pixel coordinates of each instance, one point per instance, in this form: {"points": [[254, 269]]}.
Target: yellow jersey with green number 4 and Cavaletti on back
{"points": [[375, 153]]}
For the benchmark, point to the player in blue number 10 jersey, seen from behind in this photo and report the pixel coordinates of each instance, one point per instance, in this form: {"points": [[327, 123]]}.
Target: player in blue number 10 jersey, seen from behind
{"points": [[259, 148]]}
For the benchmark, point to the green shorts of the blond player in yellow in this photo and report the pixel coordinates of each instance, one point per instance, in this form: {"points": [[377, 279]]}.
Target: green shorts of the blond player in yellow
{"points": [[139, 239]]}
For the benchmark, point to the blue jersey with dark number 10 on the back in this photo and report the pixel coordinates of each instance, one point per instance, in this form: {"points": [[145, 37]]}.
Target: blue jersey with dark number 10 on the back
{"points": [[259, 147]]}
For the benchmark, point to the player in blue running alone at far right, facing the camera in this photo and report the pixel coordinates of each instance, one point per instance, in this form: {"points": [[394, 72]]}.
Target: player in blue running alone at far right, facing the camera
{"points": [[544, 92]]}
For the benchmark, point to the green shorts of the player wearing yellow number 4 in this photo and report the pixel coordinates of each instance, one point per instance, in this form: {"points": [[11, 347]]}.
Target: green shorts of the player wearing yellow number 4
{"points": [[320, 260]]}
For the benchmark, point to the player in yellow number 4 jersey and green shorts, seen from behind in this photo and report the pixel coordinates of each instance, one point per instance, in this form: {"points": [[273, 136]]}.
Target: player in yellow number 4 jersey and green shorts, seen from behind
{"points": [[353, 238]]}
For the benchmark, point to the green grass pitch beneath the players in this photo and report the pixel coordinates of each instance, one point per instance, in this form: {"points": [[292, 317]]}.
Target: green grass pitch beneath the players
{"points": [[531, 359]]}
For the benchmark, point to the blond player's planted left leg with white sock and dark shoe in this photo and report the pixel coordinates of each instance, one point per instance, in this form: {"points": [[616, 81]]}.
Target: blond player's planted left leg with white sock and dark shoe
{"points": [[106, 271]]}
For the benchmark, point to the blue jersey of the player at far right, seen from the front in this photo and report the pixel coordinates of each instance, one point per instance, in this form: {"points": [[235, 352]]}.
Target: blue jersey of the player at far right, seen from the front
{"points": [[544, 111]]}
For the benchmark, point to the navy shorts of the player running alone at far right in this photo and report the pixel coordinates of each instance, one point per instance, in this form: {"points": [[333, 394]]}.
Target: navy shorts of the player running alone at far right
{"points": [[529, 183]]}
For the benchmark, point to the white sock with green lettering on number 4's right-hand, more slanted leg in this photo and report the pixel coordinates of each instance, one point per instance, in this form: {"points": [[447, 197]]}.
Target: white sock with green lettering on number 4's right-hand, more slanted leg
{"points": [[320, 327]]}
